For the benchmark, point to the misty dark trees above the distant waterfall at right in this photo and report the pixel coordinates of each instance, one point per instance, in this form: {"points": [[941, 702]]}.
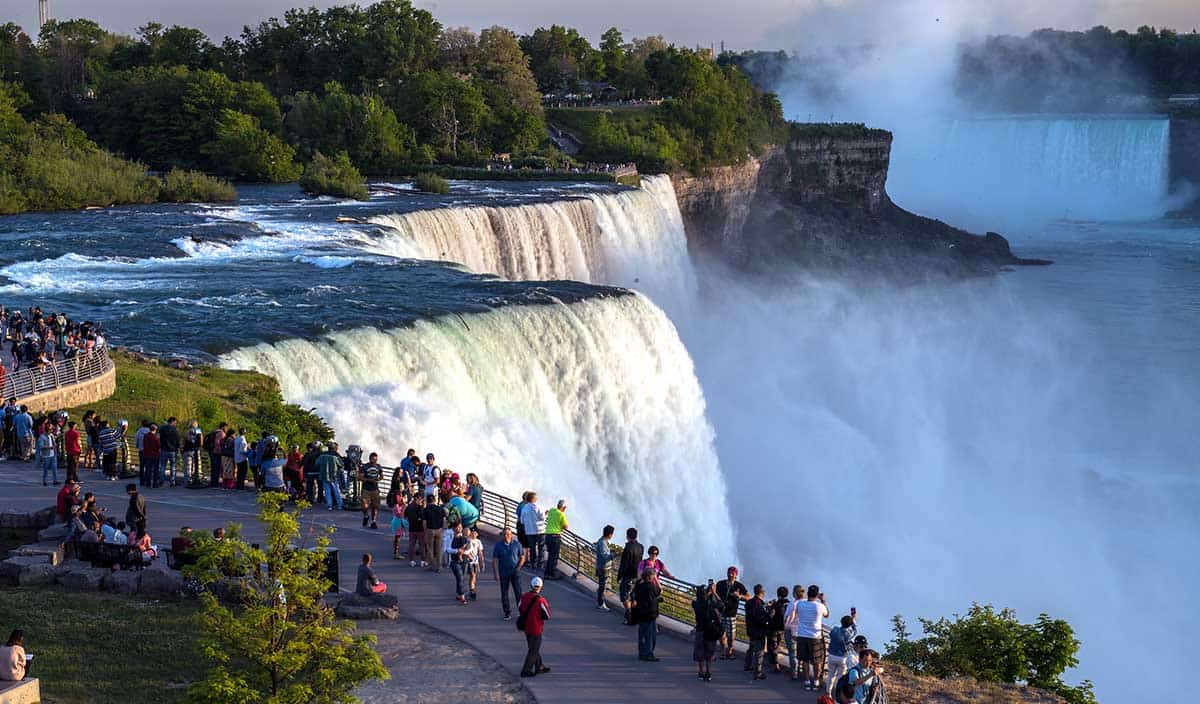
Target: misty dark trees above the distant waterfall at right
{"points": [[1078, 71]]}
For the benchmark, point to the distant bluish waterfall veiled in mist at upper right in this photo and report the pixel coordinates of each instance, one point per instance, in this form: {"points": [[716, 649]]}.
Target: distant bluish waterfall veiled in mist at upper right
{"points": [[1005, 173]]}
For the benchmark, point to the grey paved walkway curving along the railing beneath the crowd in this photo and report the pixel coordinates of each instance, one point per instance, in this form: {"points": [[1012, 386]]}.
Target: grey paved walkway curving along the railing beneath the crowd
{"points": [[592, 655]]}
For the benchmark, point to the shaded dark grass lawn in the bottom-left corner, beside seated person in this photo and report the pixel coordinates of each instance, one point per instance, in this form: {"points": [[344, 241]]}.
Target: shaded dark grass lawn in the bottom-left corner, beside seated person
{"points": [[105, 647]]}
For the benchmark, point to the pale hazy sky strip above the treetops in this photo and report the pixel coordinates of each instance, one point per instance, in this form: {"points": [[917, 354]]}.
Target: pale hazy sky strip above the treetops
{"points": [[740, 23]]}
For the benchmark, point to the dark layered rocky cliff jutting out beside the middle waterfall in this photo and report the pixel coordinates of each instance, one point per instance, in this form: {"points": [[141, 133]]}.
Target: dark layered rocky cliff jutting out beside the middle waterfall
{"points": [[821, 202]]}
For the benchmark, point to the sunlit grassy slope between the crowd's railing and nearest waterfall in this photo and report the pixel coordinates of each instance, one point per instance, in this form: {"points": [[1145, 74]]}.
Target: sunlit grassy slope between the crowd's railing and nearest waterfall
{"points": [[212, 395]]}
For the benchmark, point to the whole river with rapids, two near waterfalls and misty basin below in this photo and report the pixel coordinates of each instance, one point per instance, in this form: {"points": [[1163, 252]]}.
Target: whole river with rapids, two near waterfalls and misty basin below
{"points": [[1025, 441]]}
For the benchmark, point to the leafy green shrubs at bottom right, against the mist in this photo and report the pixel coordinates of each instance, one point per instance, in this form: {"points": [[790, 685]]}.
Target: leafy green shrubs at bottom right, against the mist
{"points": [[993, 647]]}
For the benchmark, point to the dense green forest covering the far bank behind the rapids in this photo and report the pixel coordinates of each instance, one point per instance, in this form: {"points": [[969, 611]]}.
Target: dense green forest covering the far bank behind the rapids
{"points": [[386, 85]]}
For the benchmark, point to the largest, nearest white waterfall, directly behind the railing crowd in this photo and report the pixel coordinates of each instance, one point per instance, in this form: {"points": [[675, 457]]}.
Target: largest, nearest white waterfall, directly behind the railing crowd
{"points": [[593, 401]]}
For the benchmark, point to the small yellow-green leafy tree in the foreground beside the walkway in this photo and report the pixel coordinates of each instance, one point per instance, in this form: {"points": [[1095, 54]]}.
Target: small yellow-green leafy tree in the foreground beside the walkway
{"points": [[279, 643]]}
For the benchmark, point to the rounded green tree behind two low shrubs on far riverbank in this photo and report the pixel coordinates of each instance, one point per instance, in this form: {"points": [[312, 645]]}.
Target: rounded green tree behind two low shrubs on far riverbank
{"points": [[243, 151]]}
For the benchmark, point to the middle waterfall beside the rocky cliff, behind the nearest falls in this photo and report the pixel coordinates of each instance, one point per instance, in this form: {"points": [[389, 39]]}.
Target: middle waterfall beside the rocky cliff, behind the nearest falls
{"points": [[633, 239]]}
